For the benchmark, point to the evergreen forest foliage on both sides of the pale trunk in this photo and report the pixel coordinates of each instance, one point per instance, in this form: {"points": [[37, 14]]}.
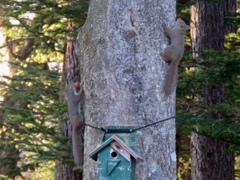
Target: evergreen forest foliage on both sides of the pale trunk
{"points": [[33, 49]]}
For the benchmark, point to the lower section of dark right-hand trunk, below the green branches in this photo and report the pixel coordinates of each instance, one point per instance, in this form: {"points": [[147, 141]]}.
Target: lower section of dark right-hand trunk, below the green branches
{"points": [[210, 160]]}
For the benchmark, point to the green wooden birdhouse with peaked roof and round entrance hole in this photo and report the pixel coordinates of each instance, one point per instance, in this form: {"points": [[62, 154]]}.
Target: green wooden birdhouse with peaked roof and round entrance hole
{"points": [[116, 160]]}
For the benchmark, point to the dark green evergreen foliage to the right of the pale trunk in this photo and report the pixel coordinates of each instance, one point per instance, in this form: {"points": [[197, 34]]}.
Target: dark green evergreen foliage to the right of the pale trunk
{"points": [[193, 113]]}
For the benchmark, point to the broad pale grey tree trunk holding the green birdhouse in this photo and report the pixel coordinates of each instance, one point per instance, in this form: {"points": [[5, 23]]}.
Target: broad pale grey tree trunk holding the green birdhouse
{"points": [[123, 77]]}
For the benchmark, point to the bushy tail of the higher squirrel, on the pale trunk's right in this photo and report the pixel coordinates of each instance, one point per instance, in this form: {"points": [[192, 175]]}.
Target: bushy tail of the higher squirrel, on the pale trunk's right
{"points": [[171, 79]]}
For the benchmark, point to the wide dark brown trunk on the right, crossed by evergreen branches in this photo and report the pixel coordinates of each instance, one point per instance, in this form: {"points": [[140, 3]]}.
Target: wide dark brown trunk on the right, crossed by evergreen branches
{"points": [[209, 159]]}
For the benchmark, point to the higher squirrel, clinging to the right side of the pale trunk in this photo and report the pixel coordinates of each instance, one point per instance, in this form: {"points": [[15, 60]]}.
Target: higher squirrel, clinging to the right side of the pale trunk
{"points": [[174, 53]]}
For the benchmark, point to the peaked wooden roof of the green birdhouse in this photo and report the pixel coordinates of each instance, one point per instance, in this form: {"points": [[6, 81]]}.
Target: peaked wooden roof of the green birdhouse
{"points": [[134, 154]]}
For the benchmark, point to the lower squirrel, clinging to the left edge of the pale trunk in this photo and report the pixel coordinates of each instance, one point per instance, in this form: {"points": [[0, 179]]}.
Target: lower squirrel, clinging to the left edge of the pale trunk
{"points": [[73, 94]]}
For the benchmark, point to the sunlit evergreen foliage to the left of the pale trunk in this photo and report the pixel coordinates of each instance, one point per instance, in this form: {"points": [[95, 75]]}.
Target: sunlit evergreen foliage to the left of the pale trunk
{"points": [[36, 33]]}
